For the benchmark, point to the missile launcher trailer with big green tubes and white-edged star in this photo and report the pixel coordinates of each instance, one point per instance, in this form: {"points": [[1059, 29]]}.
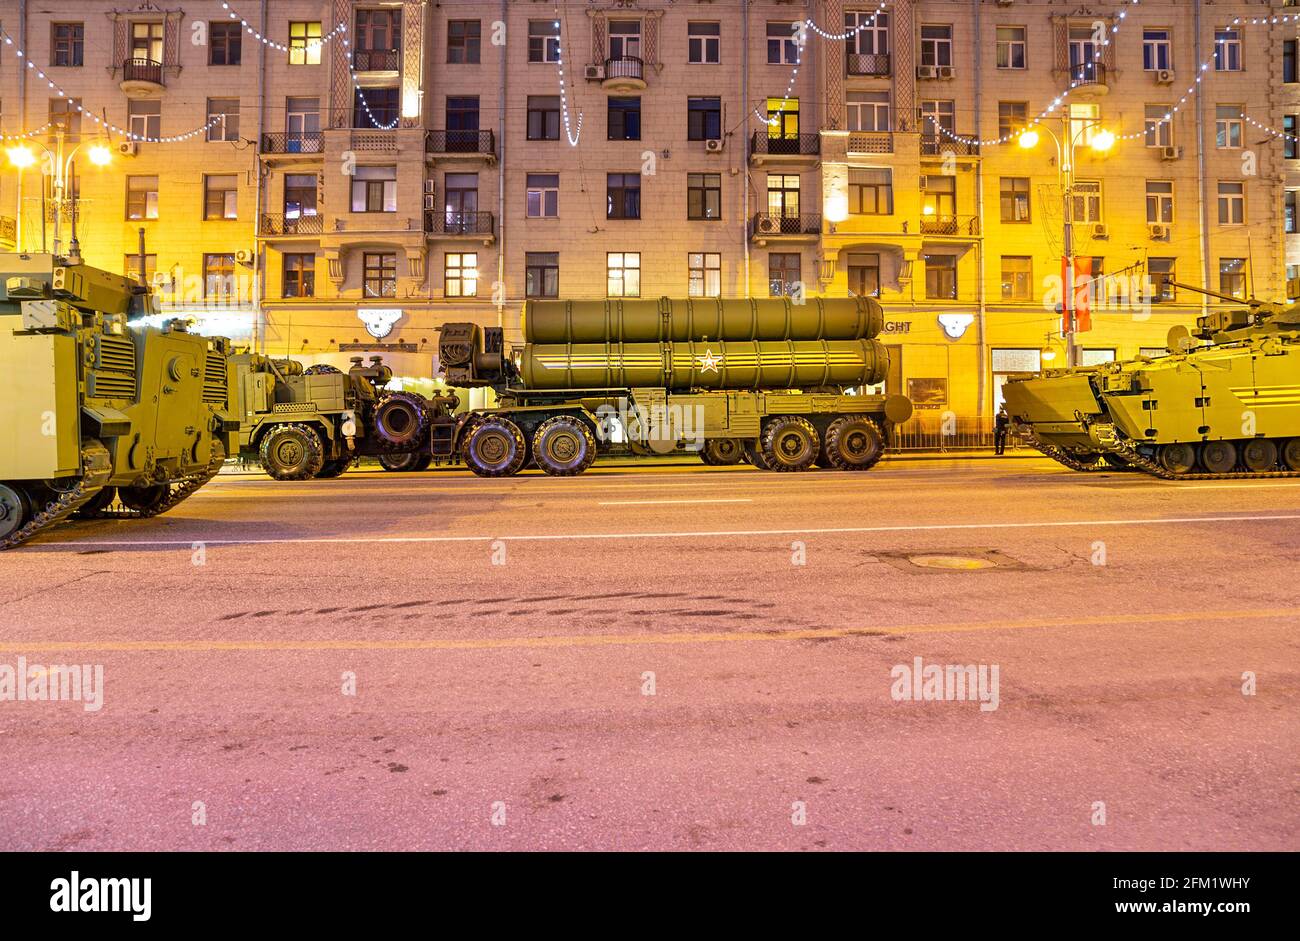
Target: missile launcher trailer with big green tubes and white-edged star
{"points": [[766, 381]]}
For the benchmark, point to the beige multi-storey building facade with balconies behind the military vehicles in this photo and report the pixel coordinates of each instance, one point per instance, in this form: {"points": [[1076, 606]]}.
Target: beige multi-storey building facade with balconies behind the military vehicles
{"points": [[376, 170]]}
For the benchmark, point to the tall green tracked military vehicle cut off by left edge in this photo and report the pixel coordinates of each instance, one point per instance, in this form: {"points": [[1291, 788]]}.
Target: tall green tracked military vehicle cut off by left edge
{"points": [[99, 418]]}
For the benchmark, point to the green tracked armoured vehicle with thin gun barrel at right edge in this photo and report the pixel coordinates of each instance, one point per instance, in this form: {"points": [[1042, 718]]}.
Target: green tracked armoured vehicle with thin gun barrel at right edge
{"points": [[1224, 404]]}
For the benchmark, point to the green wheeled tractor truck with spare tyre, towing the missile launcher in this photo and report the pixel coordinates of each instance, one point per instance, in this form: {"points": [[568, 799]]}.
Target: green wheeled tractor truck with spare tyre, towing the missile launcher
{"points": [[314, 423]]}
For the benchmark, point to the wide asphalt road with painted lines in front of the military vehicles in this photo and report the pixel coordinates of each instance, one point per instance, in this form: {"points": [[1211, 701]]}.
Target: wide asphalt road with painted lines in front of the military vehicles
{"points": [[673, 658]]}
